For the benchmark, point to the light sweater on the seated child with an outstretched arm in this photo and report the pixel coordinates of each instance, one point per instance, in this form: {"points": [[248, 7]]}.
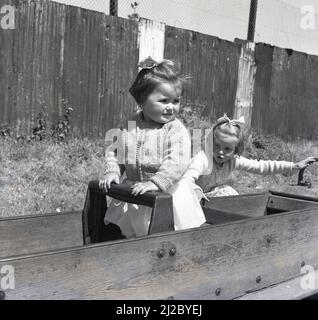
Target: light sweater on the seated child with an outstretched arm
{"points": [[198, 171]]}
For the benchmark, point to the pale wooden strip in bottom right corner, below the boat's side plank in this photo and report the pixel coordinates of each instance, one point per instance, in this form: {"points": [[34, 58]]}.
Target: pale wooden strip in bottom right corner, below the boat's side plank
{"points": [[288, 290]]}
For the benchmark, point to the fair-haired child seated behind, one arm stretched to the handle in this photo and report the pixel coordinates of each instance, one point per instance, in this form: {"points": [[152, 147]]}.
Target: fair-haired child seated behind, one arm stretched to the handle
{"points": [[224, 146]]}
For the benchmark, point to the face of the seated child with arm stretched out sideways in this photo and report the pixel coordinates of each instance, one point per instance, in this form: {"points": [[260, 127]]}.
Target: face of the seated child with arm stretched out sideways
{"points": [[223, 146]]}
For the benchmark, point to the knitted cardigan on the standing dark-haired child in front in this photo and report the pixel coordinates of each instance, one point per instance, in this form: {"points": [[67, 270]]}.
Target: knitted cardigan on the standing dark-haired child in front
{"points": [[150, 151]]}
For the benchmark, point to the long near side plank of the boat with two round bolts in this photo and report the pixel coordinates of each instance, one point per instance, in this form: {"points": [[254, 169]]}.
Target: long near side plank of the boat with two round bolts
{"points": [[236, 258]]}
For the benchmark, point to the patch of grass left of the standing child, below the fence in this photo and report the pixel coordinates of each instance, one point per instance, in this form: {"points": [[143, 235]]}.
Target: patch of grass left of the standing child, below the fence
{"points": [[43, 176]]}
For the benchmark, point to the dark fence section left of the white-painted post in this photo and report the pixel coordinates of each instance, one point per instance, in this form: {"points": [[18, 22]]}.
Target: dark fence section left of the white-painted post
{"points": [[65, 56]]}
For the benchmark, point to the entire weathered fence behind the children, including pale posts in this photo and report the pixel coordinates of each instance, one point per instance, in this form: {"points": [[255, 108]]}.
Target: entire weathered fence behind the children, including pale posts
{"points": [[62, 56]]}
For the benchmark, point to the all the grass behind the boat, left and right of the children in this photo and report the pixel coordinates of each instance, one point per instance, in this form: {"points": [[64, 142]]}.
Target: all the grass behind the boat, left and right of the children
{"points": [[39, 177]]}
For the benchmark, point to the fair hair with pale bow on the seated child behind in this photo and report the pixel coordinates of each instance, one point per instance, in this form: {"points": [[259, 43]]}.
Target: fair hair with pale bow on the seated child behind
{"points": [[231, 128]]}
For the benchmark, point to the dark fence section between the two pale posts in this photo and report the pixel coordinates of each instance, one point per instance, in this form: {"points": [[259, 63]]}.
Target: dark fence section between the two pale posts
{"points": [[212, 64]]}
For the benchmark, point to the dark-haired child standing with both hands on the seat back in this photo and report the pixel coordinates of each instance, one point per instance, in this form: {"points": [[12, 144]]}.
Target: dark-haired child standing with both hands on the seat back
{"points": [[157, 145]]}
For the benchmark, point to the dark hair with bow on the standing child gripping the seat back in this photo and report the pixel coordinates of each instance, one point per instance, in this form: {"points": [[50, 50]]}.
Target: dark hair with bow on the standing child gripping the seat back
{"points": [[152, 74]]}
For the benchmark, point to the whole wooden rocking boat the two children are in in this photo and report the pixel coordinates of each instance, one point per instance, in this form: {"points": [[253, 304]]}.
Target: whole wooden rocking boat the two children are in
{"points": [[255, 247]]}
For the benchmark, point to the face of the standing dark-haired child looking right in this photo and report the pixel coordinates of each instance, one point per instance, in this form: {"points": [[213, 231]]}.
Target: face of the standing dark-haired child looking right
{"points": [[163, 104]]}
